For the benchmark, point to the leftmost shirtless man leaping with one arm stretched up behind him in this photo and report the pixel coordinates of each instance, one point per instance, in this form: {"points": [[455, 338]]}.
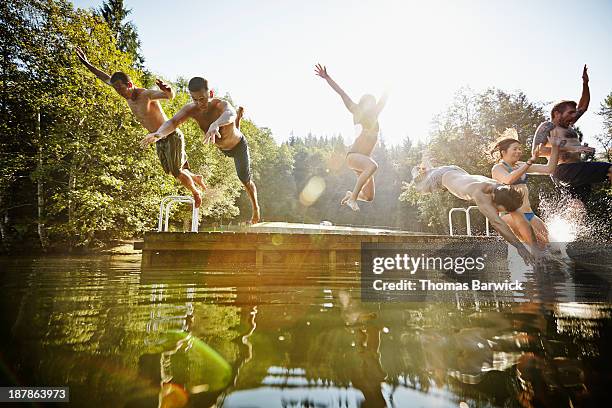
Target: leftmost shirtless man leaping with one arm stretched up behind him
{"points": [[144, 104]]}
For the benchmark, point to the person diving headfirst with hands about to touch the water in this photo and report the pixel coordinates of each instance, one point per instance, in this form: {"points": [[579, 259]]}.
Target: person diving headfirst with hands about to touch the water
{"points": [[490, 196]]}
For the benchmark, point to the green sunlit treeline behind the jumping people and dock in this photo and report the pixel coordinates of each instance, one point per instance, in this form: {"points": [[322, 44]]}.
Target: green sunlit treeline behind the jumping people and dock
{"points": [[73, 175]]}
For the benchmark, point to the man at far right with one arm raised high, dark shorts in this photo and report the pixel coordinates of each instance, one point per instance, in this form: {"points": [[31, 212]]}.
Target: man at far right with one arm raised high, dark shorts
{"points": [[571, 172]]}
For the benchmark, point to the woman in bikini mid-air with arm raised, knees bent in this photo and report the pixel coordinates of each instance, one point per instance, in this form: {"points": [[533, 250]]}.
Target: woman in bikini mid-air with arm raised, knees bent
{"points": [[365, 113]]}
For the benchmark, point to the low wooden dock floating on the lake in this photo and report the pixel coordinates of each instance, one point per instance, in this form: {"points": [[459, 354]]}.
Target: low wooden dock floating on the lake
{"points": [[276, 243]]}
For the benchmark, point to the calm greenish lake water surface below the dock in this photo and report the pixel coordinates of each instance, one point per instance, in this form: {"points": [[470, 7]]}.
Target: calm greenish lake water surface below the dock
{"points": [[120, 336]]}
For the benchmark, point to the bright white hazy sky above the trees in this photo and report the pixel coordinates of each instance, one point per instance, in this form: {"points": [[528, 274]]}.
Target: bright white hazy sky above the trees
{"points": [[263, 53]]}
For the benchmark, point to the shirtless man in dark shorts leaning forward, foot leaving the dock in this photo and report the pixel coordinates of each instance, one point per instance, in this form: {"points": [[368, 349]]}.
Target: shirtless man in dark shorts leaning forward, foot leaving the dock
{"points": [[218, 120]]}
